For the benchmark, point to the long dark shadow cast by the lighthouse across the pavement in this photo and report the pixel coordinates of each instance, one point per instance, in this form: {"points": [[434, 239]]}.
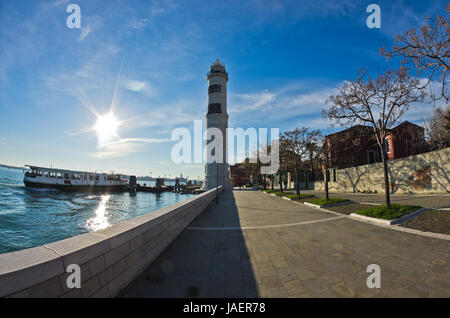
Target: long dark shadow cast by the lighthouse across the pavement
{"points": [[202, 263]]}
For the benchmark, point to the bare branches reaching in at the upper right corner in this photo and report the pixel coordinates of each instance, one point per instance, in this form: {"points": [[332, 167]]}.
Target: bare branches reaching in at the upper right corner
{"points": [[428, 51]]}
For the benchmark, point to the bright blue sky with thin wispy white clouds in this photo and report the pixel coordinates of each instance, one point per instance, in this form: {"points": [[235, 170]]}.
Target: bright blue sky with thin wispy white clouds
{"points": [[284, 59]]}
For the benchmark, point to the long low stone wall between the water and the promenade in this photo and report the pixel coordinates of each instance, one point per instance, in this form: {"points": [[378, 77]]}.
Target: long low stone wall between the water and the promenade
{"points": [[109, 259]]}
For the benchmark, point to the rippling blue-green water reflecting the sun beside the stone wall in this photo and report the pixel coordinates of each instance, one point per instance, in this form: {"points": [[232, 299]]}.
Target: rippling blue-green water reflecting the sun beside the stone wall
{"points": [[33, 217]]}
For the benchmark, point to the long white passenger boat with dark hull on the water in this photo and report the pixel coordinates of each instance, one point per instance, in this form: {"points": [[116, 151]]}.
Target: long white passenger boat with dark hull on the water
{"points": [[71, 180]]}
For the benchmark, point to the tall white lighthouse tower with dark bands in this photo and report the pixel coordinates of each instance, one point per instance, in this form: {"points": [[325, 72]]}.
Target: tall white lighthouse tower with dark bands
{"points": [[217, 117]]}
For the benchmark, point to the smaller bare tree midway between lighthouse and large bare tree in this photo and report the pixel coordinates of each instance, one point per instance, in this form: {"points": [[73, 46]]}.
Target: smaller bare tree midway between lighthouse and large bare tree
{"points": [[295, 148]]}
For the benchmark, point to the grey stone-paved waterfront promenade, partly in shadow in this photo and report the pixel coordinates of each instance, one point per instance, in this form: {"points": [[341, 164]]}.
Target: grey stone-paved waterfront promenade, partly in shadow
{"points": [[255, 245]]}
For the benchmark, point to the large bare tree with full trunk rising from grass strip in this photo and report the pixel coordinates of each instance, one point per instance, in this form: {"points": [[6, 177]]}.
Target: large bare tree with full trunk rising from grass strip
{"points": [[379, 103]]}
